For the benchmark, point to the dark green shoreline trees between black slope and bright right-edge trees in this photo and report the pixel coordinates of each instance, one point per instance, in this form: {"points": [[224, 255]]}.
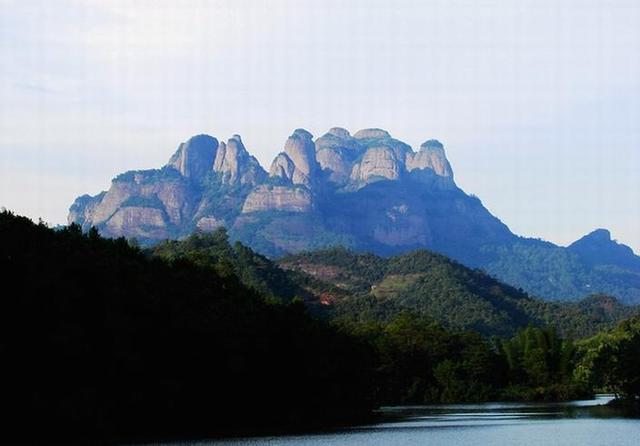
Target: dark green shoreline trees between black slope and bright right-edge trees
{"points": [[419, 362]]}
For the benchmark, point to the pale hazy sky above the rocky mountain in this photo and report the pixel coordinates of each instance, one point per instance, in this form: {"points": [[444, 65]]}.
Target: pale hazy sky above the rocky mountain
{"points": [[537, 102]]}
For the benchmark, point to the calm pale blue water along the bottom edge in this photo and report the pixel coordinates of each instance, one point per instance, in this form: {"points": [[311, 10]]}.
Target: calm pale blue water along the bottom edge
{"points": [[582, 423]]}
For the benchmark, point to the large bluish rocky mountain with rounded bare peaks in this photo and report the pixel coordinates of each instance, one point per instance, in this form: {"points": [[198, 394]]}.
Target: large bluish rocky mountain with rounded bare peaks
{"points": [[367, 191]]}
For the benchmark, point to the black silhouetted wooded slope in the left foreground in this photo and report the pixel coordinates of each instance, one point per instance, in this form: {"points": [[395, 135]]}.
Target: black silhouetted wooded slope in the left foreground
{"points": [[99, 341]]}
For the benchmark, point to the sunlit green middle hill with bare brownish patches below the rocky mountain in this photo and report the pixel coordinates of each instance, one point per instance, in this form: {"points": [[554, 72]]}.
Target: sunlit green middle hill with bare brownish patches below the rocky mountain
{"points": [[430, 285]]}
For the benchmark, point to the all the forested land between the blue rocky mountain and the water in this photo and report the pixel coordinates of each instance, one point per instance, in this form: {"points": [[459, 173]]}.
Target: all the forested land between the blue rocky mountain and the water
{"points": [[101, 340]]}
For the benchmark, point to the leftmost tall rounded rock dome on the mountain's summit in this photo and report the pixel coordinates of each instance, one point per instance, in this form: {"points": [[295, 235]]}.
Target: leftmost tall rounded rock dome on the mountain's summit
{"points": [[195, 158]]}
